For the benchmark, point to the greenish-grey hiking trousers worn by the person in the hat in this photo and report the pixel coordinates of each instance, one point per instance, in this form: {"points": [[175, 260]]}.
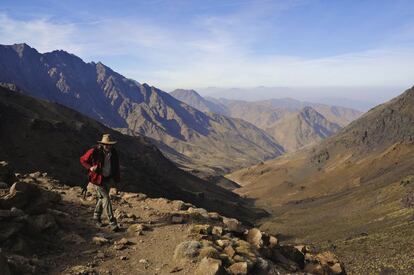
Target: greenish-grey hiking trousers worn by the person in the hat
{"points": [[104, 203]]}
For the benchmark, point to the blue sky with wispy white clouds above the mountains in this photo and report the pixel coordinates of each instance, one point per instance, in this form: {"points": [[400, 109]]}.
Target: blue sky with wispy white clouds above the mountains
{"points": [[195, 44]]}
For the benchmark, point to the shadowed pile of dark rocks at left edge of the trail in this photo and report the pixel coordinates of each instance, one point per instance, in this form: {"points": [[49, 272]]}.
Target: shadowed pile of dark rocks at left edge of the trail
{"points": [[25, 219]]}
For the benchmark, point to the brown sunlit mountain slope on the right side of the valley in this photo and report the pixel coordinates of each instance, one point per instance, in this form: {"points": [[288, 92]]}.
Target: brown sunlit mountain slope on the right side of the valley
{"points": [[362, 175]]}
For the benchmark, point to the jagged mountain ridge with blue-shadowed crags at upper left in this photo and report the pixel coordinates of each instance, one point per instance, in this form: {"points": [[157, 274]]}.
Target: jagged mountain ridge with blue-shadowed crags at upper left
{"points": [[185, 135]]}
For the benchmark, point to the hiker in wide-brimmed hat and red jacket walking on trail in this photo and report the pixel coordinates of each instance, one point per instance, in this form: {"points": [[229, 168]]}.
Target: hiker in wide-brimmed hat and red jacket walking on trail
{"points": [[103, 167]]}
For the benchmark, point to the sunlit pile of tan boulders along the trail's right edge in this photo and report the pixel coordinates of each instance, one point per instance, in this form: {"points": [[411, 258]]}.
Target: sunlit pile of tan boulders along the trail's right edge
{"points": [[224, 246]]}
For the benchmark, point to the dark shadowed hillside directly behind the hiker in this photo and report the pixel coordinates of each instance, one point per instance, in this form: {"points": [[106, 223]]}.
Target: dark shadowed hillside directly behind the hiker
{"points": [[35, 134]]}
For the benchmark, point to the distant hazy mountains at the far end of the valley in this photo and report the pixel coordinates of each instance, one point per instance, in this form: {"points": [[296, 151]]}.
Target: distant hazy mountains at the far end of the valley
{"points": [[292, 123]]}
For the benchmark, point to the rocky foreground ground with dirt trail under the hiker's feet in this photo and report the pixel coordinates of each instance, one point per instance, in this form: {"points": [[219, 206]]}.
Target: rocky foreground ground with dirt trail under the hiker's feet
{"points": [[47, 228]]}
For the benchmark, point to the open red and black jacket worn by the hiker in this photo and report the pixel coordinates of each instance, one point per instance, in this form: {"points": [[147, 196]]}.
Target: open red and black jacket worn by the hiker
{"points": [[96, 156]]}
